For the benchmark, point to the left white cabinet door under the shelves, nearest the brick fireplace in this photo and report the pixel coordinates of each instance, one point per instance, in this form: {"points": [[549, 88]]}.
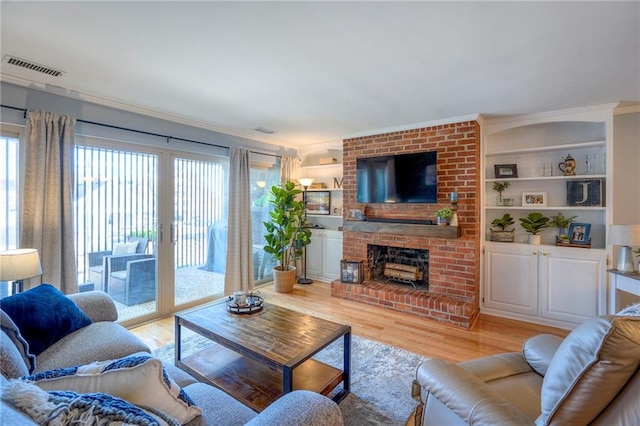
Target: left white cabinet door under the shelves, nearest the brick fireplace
{"points": [[511, 278]]}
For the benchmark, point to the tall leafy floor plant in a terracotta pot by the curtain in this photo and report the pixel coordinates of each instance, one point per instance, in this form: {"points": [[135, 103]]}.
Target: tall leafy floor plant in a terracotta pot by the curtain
{"points": [[286, 235]]}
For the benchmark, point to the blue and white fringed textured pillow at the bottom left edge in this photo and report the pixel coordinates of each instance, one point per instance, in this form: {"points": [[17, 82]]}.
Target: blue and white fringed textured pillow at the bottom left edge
{"points": [[72, 408]]}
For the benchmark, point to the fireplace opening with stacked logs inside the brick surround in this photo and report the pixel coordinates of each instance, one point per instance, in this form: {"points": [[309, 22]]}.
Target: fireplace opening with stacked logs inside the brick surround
{"points": [[399, 265]]}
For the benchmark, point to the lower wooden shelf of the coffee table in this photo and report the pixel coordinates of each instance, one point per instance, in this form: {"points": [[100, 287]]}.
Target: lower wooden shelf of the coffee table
{"points": [[255, 384]]}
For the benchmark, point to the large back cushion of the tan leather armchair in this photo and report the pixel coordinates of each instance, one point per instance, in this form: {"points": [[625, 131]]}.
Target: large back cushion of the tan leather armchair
{"points": [[592, 364]]}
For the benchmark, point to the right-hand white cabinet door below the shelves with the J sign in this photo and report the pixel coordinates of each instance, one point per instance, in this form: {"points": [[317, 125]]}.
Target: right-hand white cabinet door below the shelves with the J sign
{"points": [[572, 284]]}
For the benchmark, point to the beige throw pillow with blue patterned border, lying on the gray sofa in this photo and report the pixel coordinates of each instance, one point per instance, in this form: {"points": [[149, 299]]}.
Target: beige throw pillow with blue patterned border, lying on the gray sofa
{"points": [[139, 379]]}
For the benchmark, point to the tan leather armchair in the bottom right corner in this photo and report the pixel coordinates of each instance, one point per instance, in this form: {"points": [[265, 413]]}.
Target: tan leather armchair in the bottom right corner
{"points": [[590, 377]]}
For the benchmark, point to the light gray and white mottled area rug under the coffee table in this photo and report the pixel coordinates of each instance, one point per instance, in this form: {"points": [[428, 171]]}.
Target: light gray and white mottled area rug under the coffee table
{"points": [[381, 378]]}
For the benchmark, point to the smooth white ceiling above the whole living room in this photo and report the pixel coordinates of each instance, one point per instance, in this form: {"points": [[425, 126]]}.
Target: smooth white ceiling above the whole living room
{"points": [[320, 71]]}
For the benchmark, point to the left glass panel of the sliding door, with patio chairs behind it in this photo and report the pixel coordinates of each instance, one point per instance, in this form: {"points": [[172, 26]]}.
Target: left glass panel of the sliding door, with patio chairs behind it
{"points": [[115, 206]]}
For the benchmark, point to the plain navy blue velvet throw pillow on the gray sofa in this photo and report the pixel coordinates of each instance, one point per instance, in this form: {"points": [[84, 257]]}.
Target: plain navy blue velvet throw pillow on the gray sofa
{"points": [[44, 315]]}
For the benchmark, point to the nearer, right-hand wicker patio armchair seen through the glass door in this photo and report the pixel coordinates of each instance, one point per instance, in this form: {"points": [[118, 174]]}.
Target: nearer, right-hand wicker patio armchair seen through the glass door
{"points": [[136, 283]]}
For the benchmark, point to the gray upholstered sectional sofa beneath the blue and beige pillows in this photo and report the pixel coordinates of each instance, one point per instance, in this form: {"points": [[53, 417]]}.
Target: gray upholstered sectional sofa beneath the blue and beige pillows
{"points": [[104, 339]]}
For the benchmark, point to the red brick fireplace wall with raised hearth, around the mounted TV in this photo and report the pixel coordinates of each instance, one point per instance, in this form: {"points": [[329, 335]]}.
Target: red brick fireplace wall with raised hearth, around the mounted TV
{"points": [[454, 258]]}
